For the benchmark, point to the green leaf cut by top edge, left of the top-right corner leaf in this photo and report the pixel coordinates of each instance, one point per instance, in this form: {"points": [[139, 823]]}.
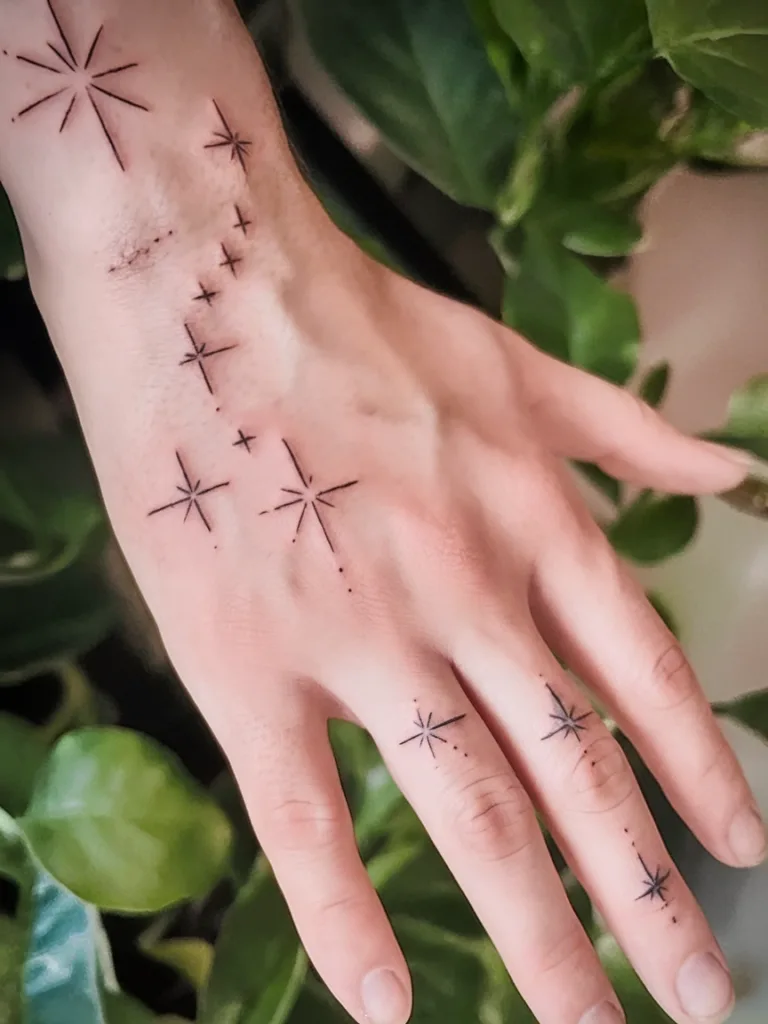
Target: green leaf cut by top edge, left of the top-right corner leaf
{"points": [[576, 42]]}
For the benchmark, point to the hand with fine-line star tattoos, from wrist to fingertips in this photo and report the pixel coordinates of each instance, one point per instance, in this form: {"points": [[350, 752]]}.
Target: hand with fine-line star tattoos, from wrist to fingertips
{"points": [[369, 521]]}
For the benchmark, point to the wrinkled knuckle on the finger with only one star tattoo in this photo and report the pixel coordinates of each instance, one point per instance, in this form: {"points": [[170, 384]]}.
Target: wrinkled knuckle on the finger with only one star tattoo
{"points": [[492, 818]]}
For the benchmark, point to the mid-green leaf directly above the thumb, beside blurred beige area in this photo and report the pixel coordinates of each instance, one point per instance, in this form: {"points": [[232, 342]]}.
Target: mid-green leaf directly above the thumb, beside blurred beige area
{"points": [[561, 306]]}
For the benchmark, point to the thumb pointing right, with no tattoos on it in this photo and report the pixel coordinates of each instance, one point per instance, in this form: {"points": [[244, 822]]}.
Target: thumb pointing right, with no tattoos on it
{"points": [[582, 417]]}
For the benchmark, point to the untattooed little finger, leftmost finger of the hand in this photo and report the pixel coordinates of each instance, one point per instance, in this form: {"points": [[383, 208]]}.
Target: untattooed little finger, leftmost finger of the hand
{"points": [[291, 787]]}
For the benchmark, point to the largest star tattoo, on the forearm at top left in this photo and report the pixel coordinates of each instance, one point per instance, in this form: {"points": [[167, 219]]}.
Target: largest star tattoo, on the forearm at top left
{"points": [[75, 81]]}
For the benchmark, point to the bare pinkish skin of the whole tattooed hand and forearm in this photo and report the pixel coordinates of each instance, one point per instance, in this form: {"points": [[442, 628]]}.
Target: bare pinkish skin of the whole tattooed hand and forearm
{"points": [[470, 561]]}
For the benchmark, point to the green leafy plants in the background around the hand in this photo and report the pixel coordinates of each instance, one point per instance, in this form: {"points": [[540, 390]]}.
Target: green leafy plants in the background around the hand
{"points": [[556, 117]]}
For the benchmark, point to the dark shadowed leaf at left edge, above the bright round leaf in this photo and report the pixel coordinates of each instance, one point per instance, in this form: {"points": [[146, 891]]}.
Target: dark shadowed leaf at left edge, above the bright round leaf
{"points": [[51, 622]]}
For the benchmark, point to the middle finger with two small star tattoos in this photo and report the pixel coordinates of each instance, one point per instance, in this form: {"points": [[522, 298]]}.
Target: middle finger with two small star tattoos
{"points": [[584, 785]]}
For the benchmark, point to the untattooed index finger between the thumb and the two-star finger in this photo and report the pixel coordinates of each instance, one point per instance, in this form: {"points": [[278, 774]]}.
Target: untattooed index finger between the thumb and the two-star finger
{"points": [[598, 618]]}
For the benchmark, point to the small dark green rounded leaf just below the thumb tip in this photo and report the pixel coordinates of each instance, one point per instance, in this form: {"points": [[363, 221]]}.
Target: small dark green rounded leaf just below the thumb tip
{"points": [[655, 528]]}
